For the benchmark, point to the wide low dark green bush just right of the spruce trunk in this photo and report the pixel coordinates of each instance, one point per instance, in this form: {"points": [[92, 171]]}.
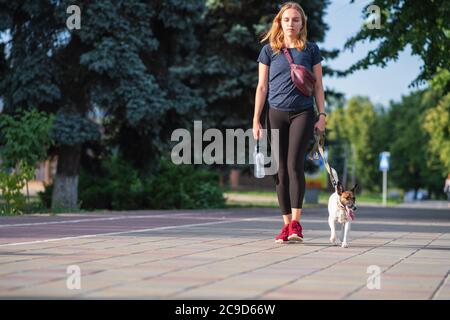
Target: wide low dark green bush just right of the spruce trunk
{"points": [[118, 186]]}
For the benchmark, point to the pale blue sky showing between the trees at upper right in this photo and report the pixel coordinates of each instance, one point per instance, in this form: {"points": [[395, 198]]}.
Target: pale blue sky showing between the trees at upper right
{"points": [[380, 84]]}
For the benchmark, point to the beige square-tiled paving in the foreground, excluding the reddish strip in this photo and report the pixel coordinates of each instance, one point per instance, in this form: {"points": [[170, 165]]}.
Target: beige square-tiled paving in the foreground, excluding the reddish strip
{"points": [[241, 261]]}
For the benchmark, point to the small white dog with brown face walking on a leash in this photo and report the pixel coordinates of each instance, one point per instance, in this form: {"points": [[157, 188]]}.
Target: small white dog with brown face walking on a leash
{"points": [[341, 208]]}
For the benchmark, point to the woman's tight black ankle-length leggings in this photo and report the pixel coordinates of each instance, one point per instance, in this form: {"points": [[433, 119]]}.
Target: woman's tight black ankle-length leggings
{"points": [[296, 128]]}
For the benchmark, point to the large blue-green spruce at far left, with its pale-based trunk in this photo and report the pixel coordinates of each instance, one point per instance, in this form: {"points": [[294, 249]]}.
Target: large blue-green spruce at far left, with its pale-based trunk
{"points": [[118, 62]]}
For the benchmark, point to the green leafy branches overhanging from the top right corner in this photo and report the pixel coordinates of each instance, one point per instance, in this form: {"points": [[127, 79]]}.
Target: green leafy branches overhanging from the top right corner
{"points": [[421, 24]]}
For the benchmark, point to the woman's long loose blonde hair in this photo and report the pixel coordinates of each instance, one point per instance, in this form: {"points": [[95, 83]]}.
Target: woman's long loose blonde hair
{"points": [[276, 34]]}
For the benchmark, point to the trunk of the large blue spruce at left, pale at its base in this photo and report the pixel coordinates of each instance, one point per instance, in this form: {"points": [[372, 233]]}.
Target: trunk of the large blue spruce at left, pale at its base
{"points": [[65, 185]]}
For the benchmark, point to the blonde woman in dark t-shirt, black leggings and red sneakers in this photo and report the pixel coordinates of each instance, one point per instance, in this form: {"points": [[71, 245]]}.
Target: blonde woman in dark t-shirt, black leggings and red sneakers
{"points": [[291, 112]]}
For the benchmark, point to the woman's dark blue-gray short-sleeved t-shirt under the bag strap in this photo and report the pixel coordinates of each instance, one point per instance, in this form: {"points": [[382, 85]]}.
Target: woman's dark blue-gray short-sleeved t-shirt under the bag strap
{"points": [[283, 95]]}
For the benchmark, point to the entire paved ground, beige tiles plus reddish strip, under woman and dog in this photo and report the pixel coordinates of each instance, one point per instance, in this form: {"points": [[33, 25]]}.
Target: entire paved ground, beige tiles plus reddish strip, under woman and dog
{"points": [[224, 254]]}
